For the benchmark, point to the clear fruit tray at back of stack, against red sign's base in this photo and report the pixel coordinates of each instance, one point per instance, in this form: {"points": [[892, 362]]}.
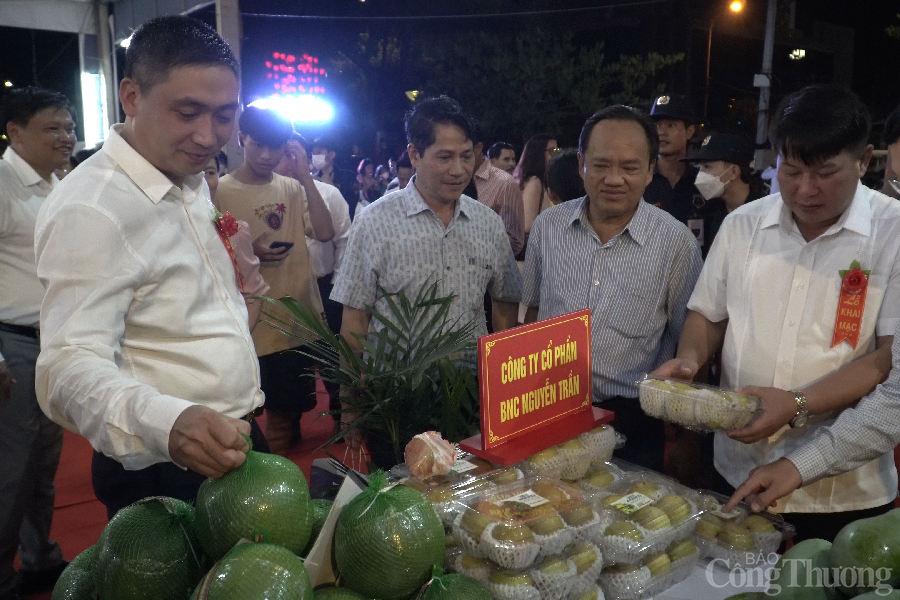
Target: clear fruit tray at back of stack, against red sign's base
{"points": [[571, 459]]}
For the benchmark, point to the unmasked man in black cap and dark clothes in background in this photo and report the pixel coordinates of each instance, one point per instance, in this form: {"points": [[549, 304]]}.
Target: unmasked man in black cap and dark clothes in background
{"points": [[672, 188]]}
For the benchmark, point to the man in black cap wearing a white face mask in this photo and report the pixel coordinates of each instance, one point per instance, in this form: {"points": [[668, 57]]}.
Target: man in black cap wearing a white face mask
{"points": [[724, 181]]}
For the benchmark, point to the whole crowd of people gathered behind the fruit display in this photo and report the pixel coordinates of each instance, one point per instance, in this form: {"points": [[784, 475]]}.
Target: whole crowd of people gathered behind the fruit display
{"points": [[131, 310]]}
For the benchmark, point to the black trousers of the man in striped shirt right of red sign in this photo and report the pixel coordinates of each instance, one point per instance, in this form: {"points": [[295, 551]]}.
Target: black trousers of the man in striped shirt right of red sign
{"points": [[645, 445]]}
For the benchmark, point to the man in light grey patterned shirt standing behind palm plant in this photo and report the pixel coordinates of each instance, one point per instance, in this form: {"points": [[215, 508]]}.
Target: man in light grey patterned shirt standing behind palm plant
{"points": [[430, 231]]}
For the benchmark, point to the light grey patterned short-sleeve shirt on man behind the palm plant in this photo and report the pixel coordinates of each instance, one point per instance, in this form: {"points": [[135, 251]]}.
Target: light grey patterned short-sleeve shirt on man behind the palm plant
{"points": [[398, 243]]}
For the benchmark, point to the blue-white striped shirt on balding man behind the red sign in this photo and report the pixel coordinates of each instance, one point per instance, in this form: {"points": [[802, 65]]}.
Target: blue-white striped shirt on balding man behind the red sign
{"points": [[637, 286]]}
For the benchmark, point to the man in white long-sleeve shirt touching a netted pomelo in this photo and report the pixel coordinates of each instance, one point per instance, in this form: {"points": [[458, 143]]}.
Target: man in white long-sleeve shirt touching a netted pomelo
{"points": [[145, 347]]}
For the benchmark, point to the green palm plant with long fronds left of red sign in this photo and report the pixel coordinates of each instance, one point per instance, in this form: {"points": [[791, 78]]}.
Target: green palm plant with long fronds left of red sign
{"points": [[415, 374]]}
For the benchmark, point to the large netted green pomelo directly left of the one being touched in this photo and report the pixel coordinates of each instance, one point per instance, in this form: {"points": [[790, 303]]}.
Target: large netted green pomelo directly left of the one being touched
{"points": [[149, 551]]}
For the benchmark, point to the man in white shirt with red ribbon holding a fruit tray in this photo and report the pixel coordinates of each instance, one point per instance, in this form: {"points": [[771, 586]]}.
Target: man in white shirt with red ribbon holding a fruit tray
{"points": [[773, 295]]}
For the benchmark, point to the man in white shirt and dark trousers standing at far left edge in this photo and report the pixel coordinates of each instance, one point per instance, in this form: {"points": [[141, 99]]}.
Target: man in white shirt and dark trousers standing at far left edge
{"points": [[41, 136]]}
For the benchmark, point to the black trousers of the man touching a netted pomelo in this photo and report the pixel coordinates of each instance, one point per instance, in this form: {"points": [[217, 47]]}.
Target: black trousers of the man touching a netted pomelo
{"points": [[117, 488]]}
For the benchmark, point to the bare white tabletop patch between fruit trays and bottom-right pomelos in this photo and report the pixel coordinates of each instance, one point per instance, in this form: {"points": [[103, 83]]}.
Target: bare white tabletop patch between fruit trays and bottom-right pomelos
{"points": [[715, 582]]}
